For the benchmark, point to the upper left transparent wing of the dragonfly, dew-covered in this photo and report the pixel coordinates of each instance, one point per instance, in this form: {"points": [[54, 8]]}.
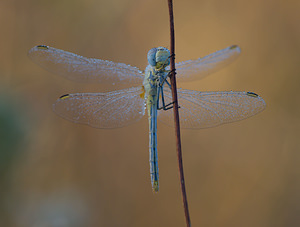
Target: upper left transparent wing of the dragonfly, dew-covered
{"points": [[82, 69]]}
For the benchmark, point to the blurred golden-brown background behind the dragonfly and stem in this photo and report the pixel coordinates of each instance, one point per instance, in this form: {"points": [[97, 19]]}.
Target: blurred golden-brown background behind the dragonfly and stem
{"points": [[54, 173]]}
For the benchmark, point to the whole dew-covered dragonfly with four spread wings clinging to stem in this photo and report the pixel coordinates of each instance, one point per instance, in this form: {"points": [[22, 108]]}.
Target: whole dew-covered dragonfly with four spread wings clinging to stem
{"points": [[151, 93]]}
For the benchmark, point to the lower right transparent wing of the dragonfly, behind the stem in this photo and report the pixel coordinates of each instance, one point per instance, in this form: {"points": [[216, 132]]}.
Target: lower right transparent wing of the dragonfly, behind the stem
{"points": [[209, 109]]}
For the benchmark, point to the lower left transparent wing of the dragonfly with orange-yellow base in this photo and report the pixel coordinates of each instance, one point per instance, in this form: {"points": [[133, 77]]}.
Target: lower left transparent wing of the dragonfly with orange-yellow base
{"points": [[103, 110]]}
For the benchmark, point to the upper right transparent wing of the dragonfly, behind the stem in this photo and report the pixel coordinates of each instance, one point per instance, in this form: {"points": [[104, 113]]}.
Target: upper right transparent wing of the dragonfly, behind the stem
{"points": [[201, 67]]}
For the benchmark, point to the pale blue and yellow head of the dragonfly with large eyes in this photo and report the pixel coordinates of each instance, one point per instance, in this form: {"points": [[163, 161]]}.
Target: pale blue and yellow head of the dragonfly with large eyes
{"points": [[159, 57]]}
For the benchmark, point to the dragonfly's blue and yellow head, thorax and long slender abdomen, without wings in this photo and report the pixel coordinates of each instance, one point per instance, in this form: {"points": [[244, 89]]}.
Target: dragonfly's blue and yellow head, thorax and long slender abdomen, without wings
{"points": [[155, 75]]}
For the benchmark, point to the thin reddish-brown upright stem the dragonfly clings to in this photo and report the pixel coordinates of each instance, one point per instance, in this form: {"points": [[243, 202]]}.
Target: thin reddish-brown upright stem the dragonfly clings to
{"points": [[176, 115]]}
